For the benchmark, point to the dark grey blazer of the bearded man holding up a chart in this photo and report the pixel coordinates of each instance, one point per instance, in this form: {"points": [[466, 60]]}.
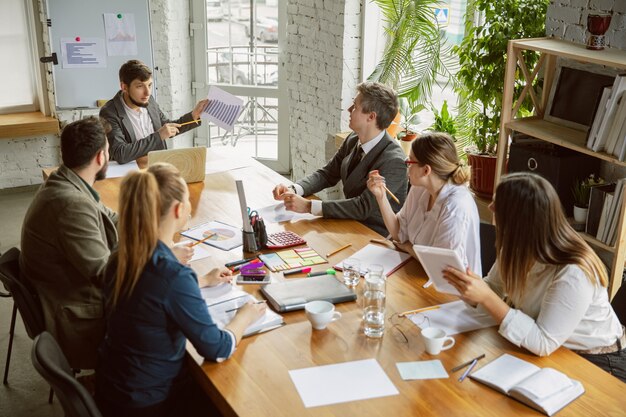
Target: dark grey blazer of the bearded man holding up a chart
{"points": [[124, 146]]}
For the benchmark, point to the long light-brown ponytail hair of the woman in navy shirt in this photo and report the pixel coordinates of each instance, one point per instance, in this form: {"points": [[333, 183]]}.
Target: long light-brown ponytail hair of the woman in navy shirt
{"points": [[145, 197]]}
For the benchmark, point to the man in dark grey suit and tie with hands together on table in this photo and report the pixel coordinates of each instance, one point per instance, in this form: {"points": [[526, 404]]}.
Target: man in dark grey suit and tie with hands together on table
{"points": [[368, 148]]}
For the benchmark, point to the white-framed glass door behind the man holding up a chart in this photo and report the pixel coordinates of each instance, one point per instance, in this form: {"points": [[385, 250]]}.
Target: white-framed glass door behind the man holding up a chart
{"points": [[237, 48]]}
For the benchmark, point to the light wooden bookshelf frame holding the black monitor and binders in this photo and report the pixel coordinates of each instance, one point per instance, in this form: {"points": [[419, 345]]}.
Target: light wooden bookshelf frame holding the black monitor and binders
{"points": [[550, 49]]}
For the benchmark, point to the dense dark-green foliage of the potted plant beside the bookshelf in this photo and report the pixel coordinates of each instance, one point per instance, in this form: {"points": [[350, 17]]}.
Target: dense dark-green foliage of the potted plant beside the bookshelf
{"points": [[482, 59]]}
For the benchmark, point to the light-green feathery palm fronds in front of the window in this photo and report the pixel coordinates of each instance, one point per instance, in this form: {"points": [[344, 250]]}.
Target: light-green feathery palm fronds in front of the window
{"points": [[416, 54]]}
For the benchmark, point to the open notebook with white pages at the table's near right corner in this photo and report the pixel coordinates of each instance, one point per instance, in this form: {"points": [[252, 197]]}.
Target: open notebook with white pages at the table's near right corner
{"points": [[546, 390]]}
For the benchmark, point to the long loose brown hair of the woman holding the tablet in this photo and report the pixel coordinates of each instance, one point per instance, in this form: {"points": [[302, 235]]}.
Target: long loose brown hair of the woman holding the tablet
{"points": [[531, 227]]}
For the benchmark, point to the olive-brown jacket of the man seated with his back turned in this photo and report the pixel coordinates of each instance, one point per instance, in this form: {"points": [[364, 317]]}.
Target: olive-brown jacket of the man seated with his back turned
{"points": [[67, 238]]}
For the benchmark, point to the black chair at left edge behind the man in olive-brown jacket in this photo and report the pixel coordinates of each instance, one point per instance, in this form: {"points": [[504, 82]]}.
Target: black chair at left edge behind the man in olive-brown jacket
{"points": [[25, 300]]}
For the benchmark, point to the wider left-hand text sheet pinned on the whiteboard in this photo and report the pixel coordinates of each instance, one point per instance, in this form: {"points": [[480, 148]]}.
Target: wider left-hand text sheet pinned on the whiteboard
{"points": [[83, 52]]}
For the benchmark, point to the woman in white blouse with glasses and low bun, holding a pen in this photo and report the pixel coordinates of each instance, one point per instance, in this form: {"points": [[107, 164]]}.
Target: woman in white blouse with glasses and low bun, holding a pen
{"points": [[439, 209]]}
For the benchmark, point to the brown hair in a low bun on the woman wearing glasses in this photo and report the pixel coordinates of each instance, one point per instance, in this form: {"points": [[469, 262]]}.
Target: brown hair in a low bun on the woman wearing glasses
{"points": [[437, 150]]}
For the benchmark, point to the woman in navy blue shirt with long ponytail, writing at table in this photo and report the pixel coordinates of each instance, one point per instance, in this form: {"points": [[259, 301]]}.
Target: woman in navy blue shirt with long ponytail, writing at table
{"points": [[154, 305]]}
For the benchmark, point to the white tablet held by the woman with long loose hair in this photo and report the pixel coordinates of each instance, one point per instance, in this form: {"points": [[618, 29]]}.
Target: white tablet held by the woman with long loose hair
{"points": [[434, 261]]}
